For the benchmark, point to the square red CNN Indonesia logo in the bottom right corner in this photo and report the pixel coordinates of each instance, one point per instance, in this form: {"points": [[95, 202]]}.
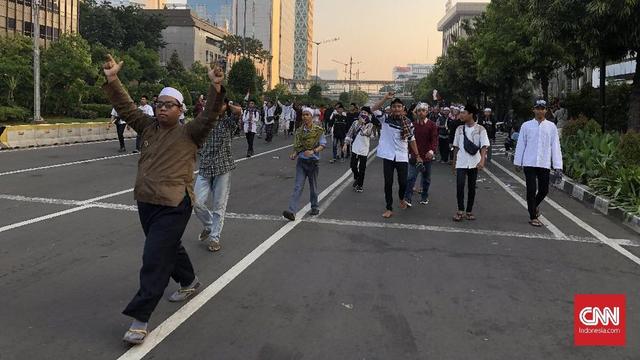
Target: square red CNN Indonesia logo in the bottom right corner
{"points": [[599, 320]]}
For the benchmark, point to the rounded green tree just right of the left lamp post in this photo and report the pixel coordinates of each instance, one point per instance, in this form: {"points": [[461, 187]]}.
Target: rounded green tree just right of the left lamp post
{"points": [[66, 73]]}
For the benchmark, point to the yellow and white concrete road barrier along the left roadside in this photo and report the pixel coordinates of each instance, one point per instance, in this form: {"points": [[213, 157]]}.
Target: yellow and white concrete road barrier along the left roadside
{"points": [[21, 136]]}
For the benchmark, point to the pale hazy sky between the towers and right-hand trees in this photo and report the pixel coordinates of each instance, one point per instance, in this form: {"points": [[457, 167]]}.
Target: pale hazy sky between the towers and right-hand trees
{"points": [[380, 33]]}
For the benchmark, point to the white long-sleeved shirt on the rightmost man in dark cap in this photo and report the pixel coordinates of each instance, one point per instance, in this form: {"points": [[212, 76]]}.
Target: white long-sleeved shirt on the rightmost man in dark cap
{"points": [[538, 145]]}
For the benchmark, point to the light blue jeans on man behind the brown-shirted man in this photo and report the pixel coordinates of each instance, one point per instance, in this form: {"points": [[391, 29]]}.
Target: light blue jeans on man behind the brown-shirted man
{"points": [[216, 191]]}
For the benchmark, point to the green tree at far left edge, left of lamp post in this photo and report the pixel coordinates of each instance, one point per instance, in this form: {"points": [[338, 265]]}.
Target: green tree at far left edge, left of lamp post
{"points": [[16, 78]]}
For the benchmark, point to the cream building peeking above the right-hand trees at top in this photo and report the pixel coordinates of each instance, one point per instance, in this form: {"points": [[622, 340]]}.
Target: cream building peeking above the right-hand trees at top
{"points": [[456, 14]]}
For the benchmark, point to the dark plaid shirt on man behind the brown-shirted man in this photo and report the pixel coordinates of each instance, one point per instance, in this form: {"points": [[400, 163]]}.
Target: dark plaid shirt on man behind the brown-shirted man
{"points": [[215, 153]]}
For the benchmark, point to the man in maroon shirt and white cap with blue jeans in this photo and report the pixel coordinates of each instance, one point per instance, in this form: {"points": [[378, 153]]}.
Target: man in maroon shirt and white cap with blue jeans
{"points": [[426, 135]]}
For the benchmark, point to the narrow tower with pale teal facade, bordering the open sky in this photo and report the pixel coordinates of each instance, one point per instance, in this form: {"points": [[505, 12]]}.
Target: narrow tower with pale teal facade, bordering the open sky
{"points": [[303, 51]]}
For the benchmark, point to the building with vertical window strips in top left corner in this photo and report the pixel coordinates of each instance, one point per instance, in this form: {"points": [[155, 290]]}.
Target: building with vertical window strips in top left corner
{"points": [[55, 17]]}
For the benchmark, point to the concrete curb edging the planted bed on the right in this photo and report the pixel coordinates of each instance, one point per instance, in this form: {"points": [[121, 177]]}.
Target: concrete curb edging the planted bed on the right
{"points": [[589, 198]]}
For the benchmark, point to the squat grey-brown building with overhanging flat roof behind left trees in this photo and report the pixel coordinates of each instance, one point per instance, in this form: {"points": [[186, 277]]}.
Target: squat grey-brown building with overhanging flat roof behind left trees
{"points": [[194, 39]]}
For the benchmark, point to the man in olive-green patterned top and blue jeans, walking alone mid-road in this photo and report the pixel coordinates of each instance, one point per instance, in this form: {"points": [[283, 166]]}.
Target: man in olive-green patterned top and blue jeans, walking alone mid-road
{"points": [[309, 141]]}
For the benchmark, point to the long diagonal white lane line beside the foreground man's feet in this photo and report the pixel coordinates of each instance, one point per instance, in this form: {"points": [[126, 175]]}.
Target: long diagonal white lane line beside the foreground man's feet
{"points": [[187, 310]]}
